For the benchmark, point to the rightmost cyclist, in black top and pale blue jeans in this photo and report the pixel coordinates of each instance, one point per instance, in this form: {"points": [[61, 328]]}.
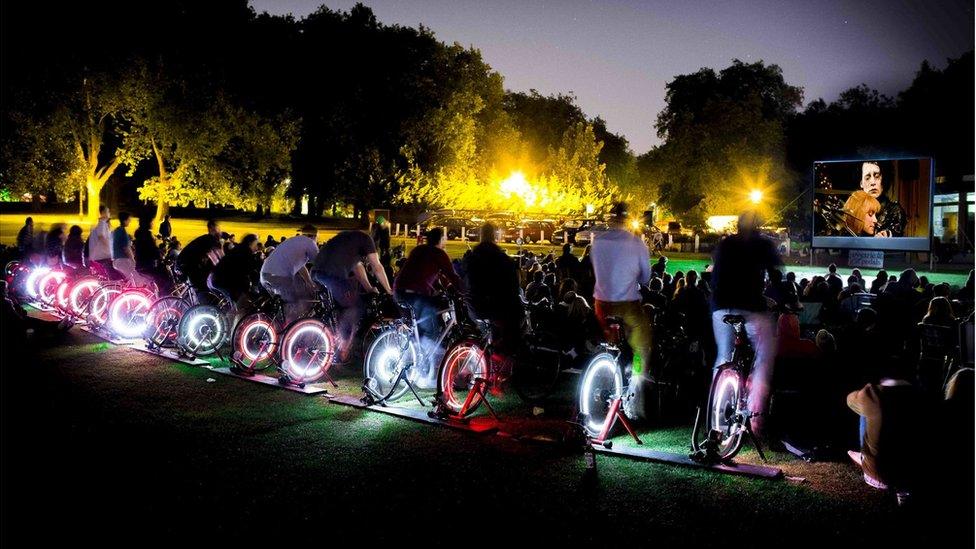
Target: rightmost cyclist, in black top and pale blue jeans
{"points": [[738, 280]]}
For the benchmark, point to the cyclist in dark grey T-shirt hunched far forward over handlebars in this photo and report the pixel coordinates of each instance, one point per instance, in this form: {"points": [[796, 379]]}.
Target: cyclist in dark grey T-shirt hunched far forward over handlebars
{"points": [[341, 267]]}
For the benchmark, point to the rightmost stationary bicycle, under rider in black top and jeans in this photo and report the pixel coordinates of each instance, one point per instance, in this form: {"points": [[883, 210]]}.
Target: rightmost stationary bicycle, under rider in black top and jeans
{"points": [[727, 415]]}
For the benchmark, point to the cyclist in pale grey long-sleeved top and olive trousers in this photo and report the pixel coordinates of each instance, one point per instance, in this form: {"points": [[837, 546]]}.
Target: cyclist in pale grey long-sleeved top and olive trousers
{"points": [[621, 264]]}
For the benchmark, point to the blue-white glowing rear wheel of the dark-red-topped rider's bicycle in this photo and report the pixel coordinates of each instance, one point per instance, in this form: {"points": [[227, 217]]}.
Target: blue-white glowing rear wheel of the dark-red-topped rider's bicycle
{"points": [[388, 354]]}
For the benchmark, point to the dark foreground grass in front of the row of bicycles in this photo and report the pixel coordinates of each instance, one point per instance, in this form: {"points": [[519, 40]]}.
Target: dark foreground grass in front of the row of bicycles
{"points": [[103, 442]]}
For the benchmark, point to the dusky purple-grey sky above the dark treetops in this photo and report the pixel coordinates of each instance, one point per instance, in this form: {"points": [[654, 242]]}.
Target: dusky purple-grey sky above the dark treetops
{"points": [[617, 56]]}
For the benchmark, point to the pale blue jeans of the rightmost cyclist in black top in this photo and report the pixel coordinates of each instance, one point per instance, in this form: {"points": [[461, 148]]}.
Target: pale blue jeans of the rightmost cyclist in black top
{"points": [[761, 329]]}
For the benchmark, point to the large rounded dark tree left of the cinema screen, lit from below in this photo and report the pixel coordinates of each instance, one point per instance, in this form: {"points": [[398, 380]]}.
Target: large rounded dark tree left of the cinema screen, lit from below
{"points": [[723, 136]]}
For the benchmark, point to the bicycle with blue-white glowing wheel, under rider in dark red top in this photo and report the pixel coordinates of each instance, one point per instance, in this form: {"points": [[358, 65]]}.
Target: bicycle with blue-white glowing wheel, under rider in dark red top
{"points": [[392, 356]]}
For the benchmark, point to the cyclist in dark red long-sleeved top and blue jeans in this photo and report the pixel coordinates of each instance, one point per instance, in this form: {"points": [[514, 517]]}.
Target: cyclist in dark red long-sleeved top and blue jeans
{"points": [[416, 284]]}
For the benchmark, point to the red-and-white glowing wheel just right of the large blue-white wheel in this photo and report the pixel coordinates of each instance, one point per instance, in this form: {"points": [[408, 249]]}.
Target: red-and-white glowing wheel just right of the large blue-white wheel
{"points": [[463, 365]]}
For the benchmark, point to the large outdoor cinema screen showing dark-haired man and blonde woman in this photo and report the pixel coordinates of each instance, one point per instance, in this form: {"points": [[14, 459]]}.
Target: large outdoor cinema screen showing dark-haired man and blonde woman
{"points": [[883, 204]]}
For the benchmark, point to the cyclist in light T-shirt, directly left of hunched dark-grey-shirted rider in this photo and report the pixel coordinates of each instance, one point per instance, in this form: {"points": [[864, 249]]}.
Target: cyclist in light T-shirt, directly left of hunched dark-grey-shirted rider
{"points": [[285, 272]]}
